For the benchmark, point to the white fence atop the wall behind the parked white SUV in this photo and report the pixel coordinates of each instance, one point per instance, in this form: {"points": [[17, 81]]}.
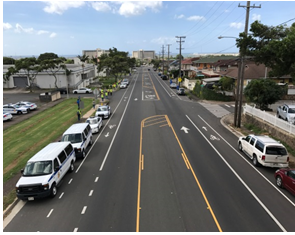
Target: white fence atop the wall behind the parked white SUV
{"points": [[270, 118]]}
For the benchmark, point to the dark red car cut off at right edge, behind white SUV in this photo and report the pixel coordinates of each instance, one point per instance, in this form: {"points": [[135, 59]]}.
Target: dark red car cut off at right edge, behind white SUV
{"points": [[285, 178]]}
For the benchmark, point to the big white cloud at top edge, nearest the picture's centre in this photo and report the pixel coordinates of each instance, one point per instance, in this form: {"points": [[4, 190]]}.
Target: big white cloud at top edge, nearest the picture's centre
{"points": [[138, 8]]}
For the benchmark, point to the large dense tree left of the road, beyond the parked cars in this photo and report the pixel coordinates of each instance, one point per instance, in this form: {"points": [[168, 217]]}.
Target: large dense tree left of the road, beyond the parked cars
{"points": [[116, 62]]}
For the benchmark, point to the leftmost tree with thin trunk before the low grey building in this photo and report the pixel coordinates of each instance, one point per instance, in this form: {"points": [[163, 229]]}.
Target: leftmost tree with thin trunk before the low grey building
{"points": [[27, 66]]}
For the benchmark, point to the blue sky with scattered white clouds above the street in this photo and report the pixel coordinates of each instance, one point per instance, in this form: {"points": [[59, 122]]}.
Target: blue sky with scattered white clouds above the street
{"points": [[31, 28]]}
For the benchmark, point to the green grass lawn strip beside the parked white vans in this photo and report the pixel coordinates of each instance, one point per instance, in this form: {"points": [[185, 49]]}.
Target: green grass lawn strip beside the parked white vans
{"points": [[21, 141]]}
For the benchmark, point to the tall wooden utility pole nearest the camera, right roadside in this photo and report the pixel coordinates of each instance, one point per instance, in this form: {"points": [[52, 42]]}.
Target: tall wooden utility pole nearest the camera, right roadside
{"points": [[240, 82]]}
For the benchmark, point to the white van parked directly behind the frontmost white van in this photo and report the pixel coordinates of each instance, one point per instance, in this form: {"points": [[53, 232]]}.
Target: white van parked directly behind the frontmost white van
{"points": [[80, 135]]}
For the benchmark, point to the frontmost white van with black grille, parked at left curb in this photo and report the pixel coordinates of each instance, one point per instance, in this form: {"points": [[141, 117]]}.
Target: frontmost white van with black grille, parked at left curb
{"points": [[44, 171]]}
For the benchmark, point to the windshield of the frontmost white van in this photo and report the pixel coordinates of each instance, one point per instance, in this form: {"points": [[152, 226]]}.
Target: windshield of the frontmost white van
{"points": [[38, 168]]}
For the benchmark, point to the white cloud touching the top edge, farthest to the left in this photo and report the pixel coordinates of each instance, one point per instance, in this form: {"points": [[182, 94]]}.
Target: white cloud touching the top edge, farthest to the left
{"points": [[59, 7]]}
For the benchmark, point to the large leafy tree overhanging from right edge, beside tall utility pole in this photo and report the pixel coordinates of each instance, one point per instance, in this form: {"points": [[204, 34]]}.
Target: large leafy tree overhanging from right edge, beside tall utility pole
{"points": [[273, 46]]}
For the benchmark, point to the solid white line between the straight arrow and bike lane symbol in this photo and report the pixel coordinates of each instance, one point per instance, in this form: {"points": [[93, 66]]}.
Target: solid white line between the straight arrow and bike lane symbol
{"points": [[241, 180]]}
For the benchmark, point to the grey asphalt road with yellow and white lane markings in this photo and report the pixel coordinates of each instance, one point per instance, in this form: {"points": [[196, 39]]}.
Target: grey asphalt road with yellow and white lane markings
{"points": [[161, 163]]}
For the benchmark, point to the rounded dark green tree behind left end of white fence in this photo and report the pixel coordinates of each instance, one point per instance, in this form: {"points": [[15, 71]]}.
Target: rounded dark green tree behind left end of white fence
{"points": [[263, 92]]}
